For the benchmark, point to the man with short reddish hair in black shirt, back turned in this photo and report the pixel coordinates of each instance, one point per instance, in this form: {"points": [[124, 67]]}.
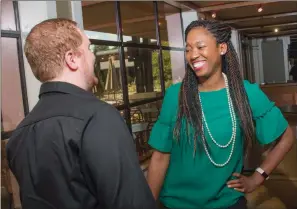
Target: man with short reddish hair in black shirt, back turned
{"points": [[72, 151]]}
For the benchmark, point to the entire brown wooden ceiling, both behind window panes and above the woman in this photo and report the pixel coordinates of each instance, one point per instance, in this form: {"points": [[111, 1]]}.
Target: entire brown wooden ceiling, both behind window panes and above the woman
{"points": [[138, 17]]}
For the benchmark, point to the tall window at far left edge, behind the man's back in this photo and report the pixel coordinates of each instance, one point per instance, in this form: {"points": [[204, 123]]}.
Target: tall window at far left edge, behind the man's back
{"points": [[14, 104]]}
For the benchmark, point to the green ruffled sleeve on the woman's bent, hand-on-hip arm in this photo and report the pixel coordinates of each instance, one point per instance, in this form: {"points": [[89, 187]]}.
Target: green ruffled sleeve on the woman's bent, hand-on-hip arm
{"points": [[269, 120]]}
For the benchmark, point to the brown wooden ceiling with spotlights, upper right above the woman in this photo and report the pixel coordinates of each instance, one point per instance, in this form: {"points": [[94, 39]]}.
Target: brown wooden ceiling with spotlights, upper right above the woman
{"points": [[244, 16]]}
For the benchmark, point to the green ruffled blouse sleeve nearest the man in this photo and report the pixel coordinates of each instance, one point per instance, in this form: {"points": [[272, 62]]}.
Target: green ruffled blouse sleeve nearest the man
{"points": [[161, 135]]}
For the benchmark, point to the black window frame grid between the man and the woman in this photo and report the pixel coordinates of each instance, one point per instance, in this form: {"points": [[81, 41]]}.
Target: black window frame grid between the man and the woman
{"points": [[121, 44]]}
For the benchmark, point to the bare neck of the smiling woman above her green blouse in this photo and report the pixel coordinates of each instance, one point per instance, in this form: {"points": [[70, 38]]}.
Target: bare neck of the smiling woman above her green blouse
{"points": [[213, 83]]}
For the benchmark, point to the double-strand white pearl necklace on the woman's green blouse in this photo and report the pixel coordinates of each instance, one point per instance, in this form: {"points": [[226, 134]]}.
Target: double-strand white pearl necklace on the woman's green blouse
{"points": [[233, 136]]}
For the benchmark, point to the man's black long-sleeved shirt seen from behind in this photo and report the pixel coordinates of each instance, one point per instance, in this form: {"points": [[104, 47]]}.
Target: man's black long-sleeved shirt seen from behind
{"points": [[74, 151]]}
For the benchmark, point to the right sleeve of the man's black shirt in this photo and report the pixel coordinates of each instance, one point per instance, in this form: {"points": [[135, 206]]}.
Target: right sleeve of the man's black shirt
{"points": [[110, 164]]}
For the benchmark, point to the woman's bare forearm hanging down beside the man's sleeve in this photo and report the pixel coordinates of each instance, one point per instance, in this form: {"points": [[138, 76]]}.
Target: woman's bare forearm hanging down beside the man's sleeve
{"points": [[157, 171]]}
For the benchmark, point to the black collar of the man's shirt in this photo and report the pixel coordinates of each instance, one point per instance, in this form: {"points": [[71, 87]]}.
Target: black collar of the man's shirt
{"points": [[63, 87]]}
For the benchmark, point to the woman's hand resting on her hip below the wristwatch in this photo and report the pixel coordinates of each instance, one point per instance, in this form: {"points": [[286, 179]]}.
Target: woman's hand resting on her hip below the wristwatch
{"points": [[245, 184]]}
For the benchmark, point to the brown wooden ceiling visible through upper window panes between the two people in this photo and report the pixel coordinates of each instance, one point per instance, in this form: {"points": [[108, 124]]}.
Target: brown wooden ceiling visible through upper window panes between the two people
{"points": [[138, 19]]}
